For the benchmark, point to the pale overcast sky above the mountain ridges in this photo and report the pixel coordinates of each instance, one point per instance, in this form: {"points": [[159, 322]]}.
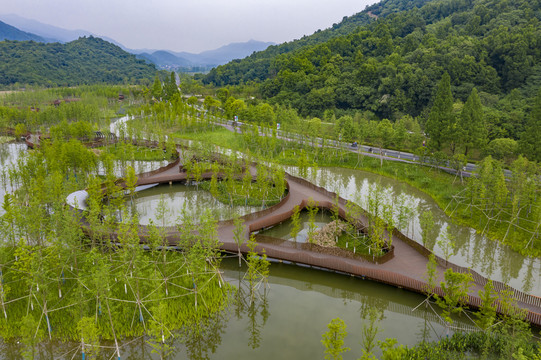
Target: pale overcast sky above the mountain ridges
{"points": [[193, 26]]}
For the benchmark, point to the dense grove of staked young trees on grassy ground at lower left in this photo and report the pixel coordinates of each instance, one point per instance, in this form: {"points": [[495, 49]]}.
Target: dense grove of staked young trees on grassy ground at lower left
{"points": [[60, 282]]}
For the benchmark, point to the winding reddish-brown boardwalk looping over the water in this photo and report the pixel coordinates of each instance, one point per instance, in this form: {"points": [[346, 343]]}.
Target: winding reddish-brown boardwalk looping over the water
{"points": [[403, 266]]}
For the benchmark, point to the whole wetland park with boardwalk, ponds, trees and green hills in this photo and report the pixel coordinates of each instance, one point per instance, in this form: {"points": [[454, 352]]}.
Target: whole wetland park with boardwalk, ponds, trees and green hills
{"points": [[351, 194]]}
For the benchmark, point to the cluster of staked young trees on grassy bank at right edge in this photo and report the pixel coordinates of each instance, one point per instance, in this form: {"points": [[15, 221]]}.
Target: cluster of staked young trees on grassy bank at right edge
{"points": [[507, 204]]}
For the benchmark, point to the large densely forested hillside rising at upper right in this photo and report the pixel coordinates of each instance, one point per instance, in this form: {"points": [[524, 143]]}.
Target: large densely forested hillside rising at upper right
{"points": [[392, 66]]}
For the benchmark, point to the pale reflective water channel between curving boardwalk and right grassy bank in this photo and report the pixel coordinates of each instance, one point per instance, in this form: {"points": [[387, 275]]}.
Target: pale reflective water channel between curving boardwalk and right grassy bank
{"points": [[485, 256]]}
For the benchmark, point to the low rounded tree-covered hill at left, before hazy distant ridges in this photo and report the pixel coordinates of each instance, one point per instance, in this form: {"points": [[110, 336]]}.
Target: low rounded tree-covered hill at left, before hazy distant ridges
{"points": [[87, 60]]}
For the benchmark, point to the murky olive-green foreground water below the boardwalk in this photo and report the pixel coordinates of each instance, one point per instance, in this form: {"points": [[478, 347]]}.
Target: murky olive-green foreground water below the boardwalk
{"points": [[289, 321]]}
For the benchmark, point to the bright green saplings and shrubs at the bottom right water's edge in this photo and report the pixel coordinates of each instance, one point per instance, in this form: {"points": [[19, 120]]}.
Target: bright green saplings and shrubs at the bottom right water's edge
{"points": [[491, 335]]}
